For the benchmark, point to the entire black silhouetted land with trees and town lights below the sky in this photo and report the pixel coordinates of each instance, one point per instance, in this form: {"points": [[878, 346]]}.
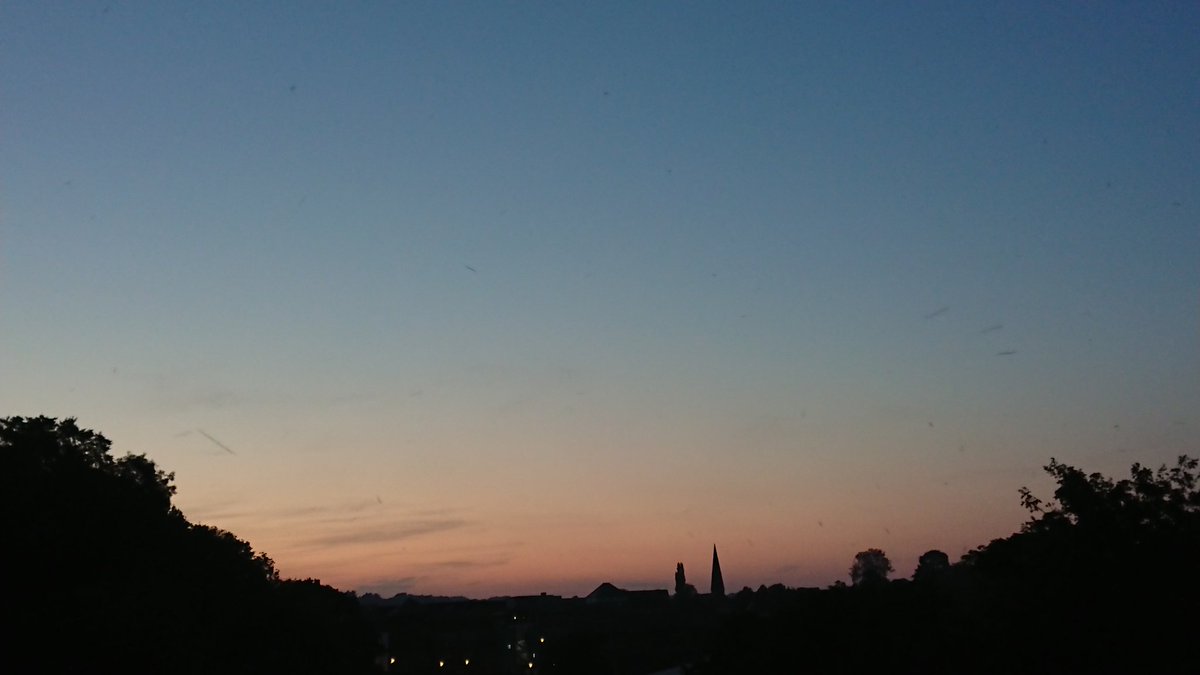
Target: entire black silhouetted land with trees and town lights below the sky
{"points": [[106, 576]]}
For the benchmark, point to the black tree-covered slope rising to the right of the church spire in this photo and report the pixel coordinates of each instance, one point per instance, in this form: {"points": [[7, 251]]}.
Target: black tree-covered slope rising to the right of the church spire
{"points": [[1103, 578]]}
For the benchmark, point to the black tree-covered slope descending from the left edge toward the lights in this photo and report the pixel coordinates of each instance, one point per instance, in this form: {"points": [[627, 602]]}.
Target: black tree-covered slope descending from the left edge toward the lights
{"points": [[106, 576]]}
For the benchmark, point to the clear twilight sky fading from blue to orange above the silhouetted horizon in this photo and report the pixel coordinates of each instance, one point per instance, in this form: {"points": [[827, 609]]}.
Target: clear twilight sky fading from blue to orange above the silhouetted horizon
{"points": [[489, 298]]}
